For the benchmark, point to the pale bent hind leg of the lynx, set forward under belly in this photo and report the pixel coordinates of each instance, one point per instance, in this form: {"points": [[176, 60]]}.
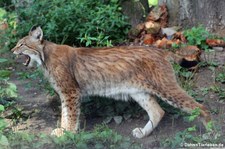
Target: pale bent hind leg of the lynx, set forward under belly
{"points": [[154, 111]]}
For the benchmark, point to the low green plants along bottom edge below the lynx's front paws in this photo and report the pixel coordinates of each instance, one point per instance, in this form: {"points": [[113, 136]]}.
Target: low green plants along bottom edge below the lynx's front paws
{"points": [[100, 137]]}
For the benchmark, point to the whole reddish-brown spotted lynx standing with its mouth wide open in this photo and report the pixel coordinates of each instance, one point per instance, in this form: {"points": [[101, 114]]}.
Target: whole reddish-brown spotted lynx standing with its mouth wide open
{"points": [[127, 72]]}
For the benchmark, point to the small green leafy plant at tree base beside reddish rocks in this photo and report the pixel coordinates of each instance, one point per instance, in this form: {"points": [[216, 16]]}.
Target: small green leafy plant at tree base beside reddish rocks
{"points": [[197, 36]]}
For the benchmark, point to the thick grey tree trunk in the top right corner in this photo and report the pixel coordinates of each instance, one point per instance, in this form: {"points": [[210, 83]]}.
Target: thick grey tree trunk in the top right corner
{"points": [[187, 13]]}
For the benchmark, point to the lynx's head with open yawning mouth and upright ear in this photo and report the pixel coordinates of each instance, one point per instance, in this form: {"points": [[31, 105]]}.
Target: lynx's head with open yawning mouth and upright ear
{"points": [[31, 47]]}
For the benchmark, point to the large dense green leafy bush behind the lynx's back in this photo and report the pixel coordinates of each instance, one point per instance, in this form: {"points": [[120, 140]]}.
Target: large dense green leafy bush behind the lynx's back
{"points": [[74, 22]]}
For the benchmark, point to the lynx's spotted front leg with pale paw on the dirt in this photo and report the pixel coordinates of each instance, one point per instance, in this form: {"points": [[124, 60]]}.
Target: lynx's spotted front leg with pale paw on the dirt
{"points": [[70, 112]]}
